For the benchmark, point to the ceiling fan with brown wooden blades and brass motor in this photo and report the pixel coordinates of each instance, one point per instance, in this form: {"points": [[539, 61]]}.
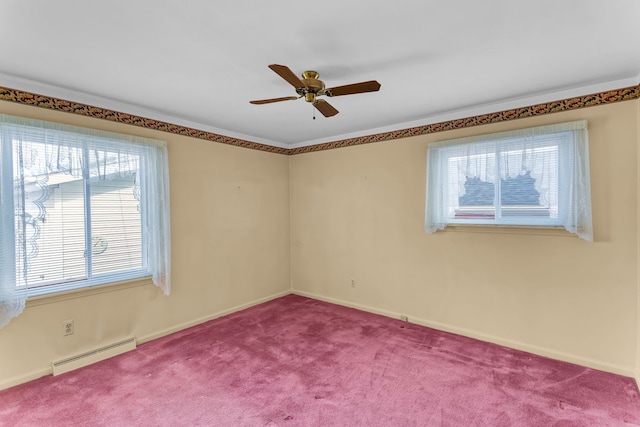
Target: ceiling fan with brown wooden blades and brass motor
{"points": [[310, 87]]}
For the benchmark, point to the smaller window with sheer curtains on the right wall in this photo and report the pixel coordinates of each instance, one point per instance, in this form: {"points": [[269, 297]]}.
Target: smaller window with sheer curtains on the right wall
{"points": [[530, 177]]}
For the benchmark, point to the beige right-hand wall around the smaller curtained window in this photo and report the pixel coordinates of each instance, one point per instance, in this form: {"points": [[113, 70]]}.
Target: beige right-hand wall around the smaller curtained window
{"points": [[357, 213]]}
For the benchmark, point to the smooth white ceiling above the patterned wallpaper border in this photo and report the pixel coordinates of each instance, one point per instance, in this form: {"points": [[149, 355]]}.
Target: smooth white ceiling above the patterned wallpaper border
{"points": [[198, 63]]}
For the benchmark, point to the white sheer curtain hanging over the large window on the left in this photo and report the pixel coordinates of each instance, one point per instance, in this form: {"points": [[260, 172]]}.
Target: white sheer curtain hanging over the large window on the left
{"points": [[36, 156]]}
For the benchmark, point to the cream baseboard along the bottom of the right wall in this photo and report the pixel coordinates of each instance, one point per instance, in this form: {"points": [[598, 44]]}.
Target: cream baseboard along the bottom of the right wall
{"points": [[541, 351]]}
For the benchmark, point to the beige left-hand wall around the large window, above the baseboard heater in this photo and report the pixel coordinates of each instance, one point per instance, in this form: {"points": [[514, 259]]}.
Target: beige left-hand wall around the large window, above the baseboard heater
{"points": [[230, 249]]}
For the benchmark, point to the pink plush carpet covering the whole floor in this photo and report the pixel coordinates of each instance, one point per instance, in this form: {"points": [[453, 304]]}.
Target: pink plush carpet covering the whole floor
{"points": [[300, 362]]}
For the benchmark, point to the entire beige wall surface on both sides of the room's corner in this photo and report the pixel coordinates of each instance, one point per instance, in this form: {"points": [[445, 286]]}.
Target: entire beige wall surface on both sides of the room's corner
{"points": [[242, 234]]}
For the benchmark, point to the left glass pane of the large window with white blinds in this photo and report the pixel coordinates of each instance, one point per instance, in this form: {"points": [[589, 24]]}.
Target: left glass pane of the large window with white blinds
{"points": [[50, 239]]}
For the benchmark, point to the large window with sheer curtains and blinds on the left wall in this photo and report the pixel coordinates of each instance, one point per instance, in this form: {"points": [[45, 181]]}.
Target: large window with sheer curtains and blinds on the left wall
{"points": [[79, 208]]}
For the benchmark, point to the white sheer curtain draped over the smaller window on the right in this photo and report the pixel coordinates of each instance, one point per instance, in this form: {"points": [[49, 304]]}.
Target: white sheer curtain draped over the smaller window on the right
{"points": [[556, 157]]}
